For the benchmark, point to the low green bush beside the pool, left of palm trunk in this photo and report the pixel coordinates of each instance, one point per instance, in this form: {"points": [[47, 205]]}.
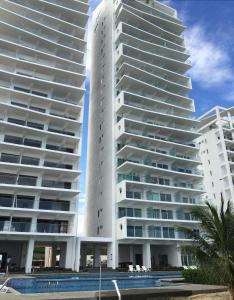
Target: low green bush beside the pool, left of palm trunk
{"points": [[203, 276]]}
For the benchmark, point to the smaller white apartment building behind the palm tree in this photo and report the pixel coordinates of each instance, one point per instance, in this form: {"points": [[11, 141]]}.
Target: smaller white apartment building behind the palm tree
{"points": [[217, 152]]}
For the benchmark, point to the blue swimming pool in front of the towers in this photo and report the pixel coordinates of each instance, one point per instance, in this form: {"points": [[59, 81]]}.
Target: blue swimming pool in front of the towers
{"points": [[89, 282]]}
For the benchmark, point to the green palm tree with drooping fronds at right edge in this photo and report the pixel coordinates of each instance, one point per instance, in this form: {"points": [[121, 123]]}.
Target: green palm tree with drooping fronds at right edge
{"points": [[213, 247]]}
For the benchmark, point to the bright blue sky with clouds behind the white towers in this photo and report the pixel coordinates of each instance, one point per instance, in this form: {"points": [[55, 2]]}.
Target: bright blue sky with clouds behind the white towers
{"points": [[210, 39]]}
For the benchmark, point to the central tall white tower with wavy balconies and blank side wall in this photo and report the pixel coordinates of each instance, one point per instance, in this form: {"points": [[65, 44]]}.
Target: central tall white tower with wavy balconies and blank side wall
{"points": [[142, 175]]}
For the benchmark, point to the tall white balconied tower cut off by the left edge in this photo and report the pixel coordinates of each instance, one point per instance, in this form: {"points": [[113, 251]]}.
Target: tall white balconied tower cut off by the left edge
{"points": [[42, 74]]}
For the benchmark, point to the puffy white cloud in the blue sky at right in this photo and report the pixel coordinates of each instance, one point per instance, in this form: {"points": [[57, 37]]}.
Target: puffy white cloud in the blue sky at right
{"points": [[211, 64]]}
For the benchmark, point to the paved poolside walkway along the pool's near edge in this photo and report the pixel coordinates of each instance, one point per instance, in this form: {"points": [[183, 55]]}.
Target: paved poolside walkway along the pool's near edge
{"points": [[130, 294]]}
